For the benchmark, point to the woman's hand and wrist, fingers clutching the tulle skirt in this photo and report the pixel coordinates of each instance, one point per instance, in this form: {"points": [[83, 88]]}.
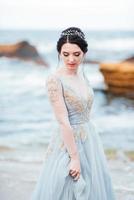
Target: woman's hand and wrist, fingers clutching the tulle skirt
{"points": [[74, 168]]}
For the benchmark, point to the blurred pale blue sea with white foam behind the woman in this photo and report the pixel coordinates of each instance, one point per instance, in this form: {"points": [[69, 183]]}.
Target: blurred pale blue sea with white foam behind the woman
{"points": [[25, 113]]}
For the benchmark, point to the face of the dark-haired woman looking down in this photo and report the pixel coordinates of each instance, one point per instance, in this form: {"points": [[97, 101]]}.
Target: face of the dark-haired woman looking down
{"points": [[72, 55]]}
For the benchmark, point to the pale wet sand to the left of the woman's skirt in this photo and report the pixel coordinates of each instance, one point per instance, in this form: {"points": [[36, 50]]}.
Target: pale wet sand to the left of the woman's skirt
{"points": [[17, 180]]}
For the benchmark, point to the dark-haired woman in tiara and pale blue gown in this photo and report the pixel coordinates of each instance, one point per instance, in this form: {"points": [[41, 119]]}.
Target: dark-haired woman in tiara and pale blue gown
{"points": [[75, 166]]}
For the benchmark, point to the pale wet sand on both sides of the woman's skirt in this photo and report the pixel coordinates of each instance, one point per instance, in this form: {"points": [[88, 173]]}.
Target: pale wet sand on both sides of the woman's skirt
{"points": [[18, 179]]}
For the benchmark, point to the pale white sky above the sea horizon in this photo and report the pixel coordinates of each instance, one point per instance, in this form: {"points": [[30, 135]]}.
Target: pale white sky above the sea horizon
{"points": [[57, 14]]}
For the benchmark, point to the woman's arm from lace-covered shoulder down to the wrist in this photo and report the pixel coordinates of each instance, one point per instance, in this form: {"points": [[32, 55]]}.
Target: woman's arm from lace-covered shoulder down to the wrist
{"points": [[55, 94]]}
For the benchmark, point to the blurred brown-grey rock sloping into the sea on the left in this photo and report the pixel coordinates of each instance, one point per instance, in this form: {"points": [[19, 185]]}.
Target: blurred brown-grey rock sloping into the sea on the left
{"points": [[22, 50]]}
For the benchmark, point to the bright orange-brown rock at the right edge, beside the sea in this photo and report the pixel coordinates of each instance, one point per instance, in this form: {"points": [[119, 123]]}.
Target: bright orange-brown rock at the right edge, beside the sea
{"points": [[119, 77]]}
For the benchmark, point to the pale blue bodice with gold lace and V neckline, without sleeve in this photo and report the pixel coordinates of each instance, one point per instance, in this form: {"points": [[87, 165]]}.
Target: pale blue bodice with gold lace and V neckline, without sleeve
{"points": [[78, 107]]}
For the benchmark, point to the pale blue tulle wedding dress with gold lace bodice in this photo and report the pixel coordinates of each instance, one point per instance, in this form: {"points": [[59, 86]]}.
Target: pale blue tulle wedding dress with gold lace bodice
{"points": [[54, 181]]}
